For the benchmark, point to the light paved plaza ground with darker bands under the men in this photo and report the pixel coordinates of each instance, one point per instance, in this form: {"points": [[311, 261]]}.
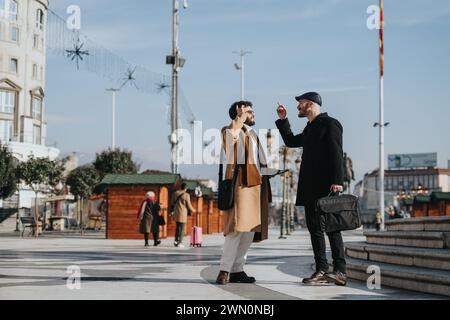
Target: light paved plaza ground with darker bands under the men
{"points": [[37, 269]]}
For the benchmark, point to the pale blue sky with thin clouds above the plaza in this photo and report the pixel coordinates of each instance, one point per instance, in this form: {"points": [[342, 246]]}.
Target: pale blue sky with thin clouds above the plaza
{"points": [[296, 45]]}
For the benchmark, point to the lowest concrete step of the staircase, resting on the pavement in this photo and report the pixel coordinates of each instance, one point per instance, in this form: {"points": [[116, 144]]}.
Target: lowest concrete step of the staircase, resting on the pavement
{"points": [[409, 278]]}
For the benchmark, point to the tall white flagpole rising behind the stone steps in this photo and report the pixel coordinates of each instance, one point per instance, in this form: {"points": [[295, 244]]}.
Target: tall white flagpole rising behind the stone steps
{"points": [[381, 123]]}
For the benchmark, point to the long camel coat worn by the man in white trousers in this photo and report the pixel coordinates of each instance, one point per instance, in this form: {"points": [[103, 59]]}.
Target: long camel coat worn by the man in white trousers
{"points": [[251, 206]]}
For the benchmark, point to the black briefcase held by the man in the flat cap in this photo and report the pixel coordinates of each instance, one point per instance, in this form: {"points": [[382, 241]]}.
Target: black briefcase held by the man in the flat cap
{"points": [[339, 213]]}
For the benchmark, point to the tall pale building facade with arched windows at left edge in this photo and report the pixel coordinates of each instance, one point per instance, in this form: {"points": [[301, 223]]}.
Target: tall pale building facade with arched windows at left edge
{"points": [[22, 78]]}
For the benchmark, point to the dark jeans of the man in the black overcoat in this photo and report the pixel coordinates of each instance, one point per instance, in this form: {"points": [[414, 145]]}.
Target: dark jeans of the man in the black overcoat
{"points": [[318, 243]]}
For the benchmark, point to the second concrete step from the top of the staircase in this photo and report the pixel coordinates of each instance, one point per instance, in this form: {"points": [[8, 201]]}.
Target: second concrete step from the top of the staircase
{"points": [[420, 239]]}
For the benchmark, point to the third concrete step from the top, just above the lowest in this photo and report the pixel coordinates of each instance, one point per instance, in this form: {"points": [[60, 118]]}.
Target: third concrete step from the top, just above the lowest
{"points": [[406, 256]]}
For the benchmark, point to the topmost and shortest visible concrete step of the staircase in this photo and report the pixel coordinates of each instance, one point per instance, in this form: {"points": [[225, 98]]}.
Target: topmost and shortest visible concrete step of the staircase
{"points": [[419, 224]]}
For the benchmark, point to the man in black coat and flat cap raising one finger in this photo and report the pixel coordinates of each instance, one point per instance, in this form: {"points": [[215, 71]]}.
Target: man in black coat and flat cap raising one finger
{"points": [[321, 173]]}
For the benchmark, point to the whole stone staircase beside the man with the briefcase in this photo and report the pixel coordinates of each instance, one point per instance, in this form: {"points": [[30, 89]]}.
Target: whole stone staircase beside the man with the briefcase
{"points": [[413, 254]]}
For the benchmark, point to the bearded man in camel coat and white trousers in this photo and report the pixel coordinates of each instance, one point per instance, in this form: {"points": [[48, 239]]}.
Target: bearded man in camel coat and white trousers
{"points": [[247, 221]]}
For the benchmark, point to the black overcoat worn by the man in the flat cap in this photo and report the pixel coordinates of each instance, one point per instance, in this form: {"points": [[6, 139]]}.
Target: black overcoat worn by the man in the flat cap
{"points": [[322, 159]]}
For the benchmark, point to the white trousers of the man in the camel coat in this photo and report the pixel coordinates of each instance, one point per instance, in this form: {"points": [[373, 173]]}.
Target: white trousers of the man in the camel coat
{"points": [[235, 251]]}
